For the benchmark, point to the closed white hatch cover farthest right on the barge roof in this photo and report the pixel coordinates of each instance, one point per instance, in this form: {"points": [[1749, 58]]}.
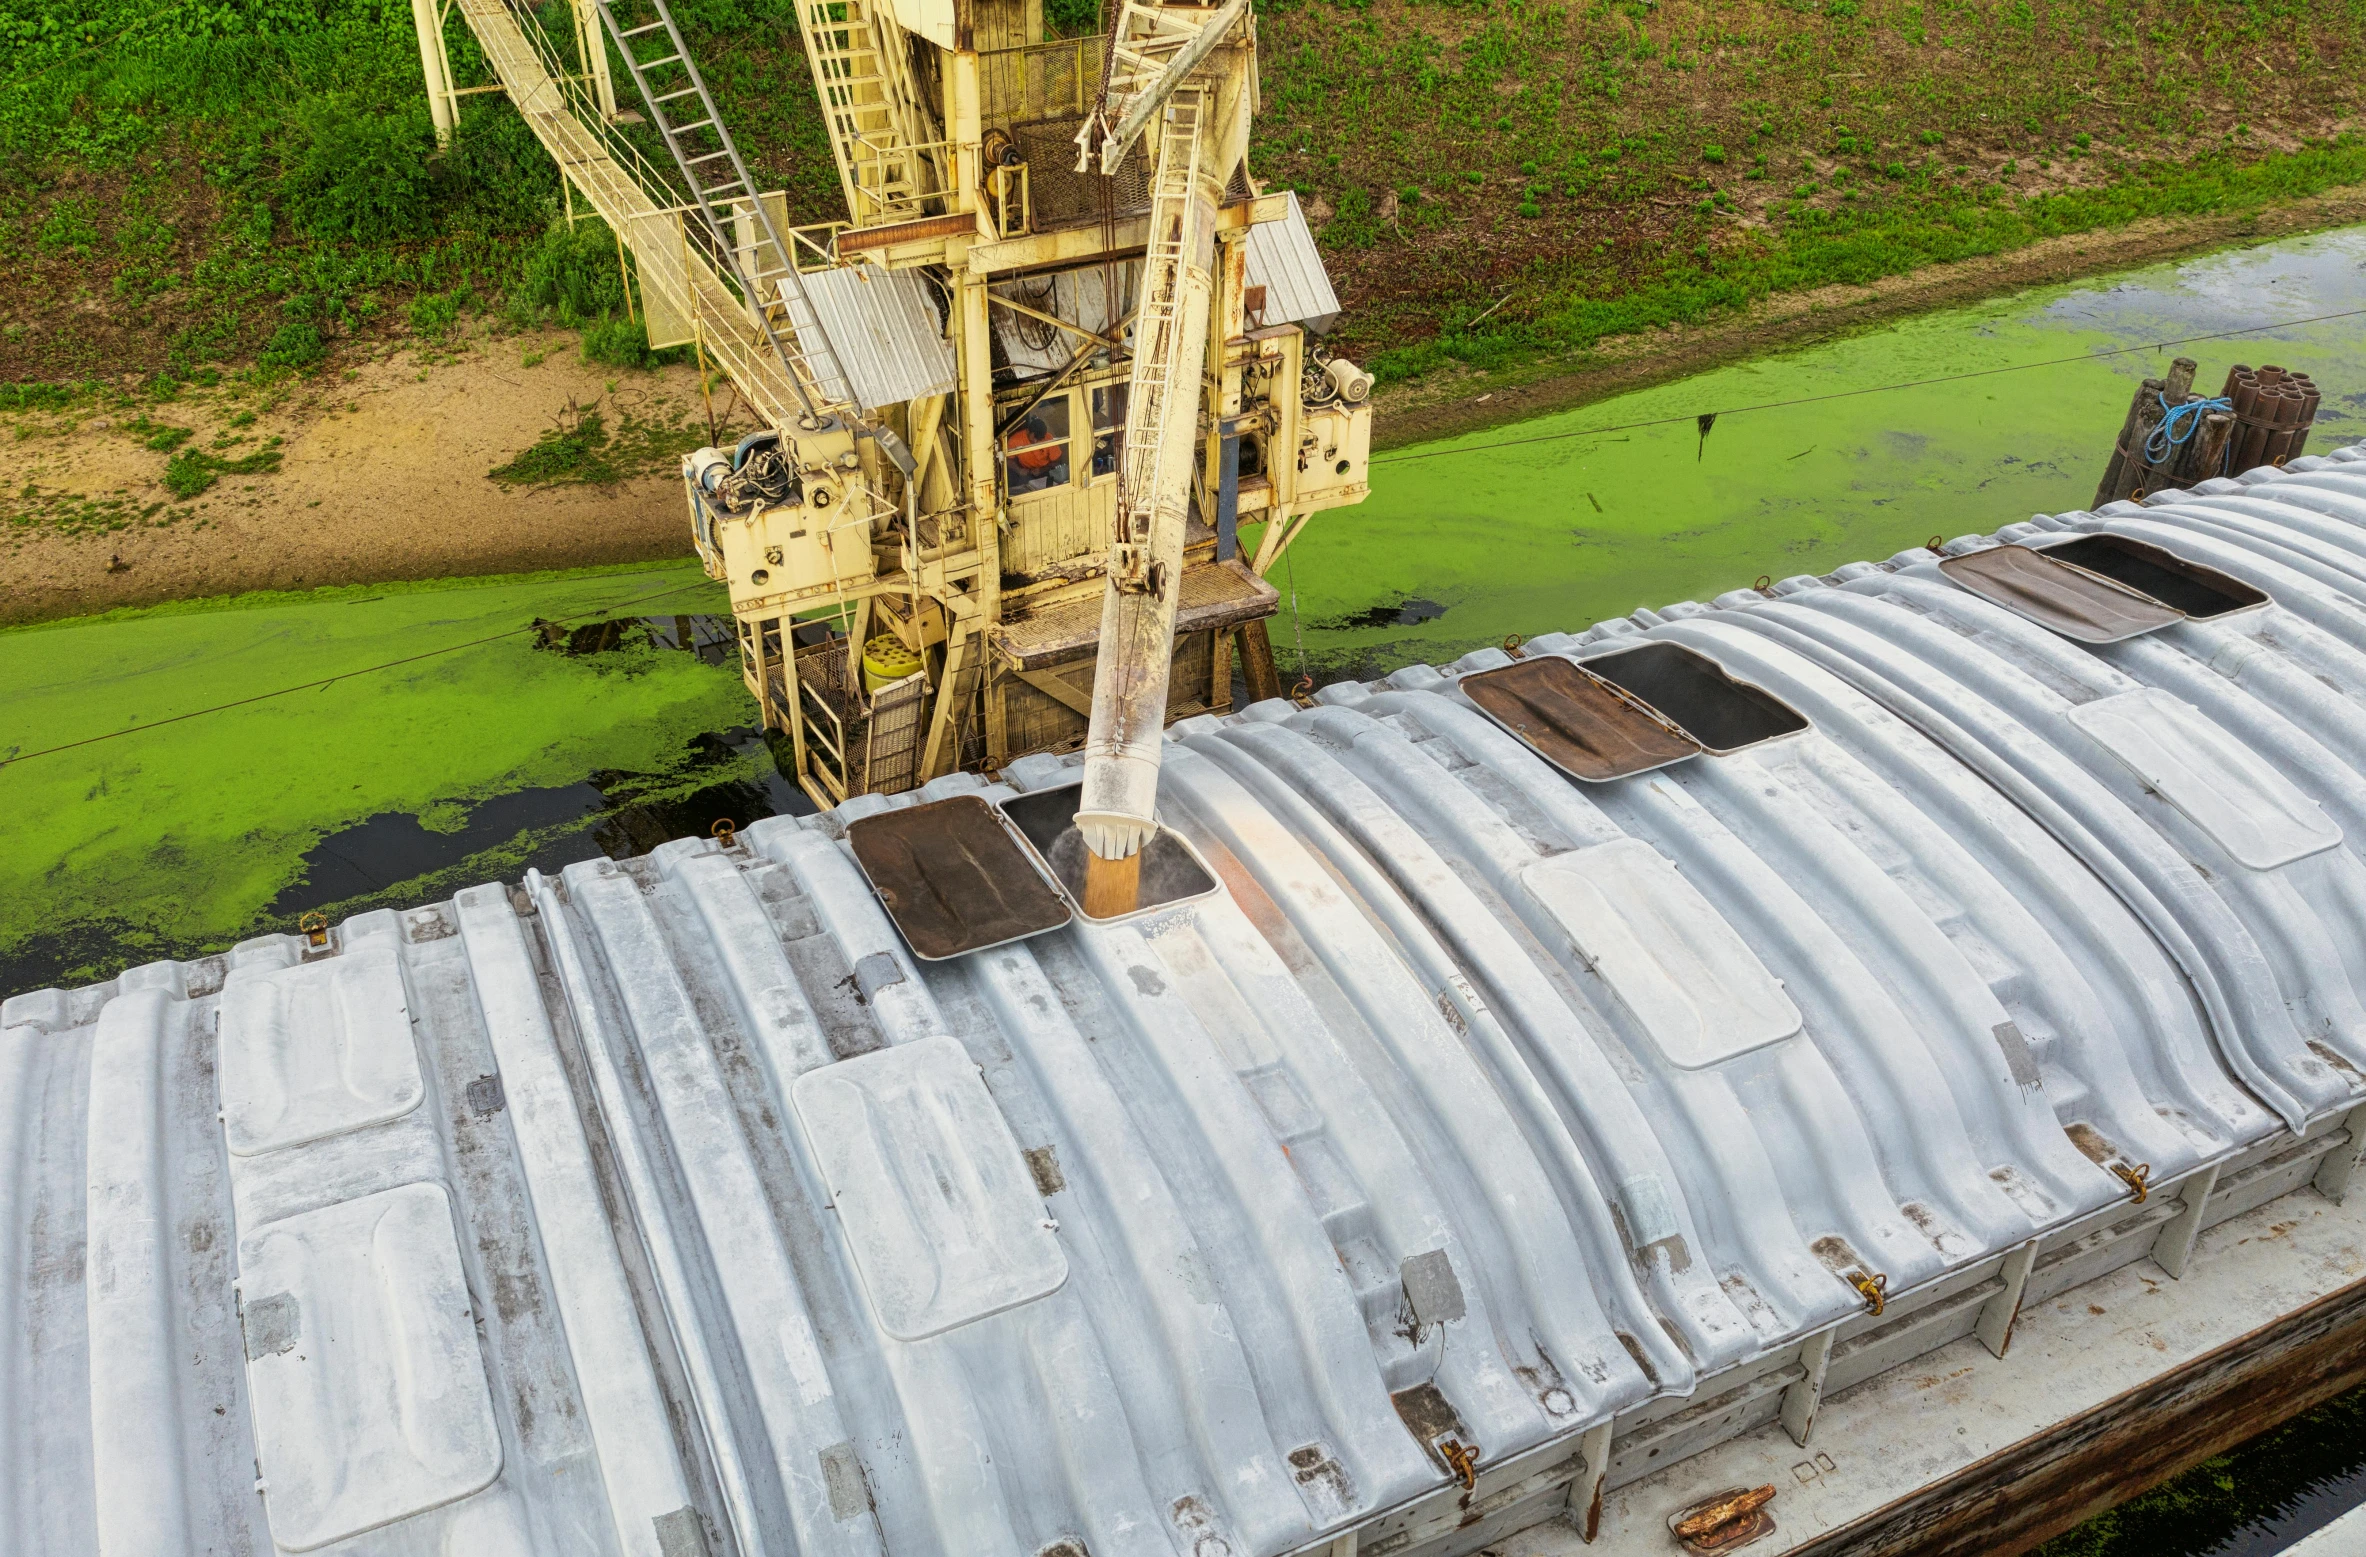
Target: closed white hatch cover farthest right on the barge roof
{"points": [[2220, 784]]}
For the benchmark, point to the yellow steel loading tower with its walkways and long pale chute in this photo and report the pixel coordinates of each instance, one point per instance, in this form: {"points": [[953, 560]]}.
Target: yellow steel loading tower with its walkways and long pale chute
{"points": [[1016, 408]]}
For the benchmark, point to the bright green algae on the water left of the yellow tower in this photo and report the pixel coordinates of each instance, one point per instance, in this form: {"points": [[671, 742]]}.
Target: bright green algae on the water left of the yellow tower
{"points": [[183, 836]]}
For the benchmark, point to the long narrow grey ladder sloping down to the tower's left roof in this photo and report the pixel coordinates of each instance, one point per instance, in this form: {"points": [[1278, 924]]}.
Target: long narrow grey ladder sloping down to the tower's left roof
{"points": [[718, 179]]}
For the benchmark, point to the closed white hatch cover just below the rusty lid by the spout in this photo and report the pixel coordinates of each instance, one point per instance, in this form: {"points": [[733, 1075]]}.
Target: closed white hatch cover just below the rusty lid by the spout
{"points": [[931, 1187]]}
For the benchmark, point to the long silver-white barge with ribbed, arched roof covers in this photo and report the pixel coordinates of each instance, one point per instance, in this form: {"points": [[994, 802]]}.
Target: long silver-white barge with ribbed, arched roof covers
{"points": [[1485, 1144]]}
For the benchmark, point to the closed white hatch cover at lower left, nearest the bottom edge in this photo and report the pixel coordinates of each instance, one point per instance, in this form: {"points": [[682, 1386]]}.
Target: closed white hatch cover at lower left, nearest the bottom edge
{"points": [[363, 1369]]}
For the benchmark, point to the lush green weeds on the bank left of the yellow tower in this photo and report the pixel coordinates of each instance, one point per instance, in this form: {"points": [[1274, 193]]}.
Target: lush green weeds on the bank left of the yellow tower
{"points": [[254, 186]]}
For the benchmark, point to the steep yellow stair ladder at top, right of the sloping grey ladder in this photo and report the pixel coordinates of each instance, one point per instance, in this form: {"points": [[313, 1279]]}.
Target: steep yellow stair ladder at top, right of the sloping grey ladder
{"points": [[870, 105]]}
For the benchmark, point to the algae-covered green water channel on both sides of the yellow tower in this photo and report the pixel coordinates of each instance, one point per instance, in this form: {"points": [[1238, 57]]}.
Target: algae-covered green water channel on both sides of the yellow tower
{"points": [[448, 747]]}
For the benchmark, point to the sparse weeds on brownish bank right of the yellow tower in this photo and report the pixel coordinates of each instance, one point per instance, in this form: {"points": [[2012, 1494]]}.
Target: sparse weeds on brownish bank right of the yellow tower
{"points": [[1603, 167]]}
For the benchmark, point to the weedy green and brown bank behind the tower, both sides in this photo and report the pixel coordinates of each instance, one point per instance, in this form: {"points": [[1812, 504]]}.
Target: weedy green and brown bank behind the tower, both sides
{"points": [[254, 186]]}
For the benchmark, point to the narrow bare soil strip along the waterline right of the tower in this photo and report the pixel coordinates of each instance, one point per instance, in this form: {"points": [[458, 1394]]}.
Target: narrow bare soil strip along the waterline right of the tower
{"points": [[1447, 406]]}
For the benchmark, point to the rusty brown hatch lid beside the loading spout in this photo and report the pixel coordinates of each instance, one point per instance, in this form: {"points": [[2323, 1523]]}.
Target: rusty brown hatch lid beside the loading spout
{"points": [[955, 877]]}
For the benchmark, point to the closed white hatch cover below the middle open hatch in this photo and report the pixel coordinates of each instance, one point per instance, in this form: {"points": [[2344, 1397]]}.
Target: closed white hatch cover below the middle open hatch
{"points": [[1672, 960]]}
